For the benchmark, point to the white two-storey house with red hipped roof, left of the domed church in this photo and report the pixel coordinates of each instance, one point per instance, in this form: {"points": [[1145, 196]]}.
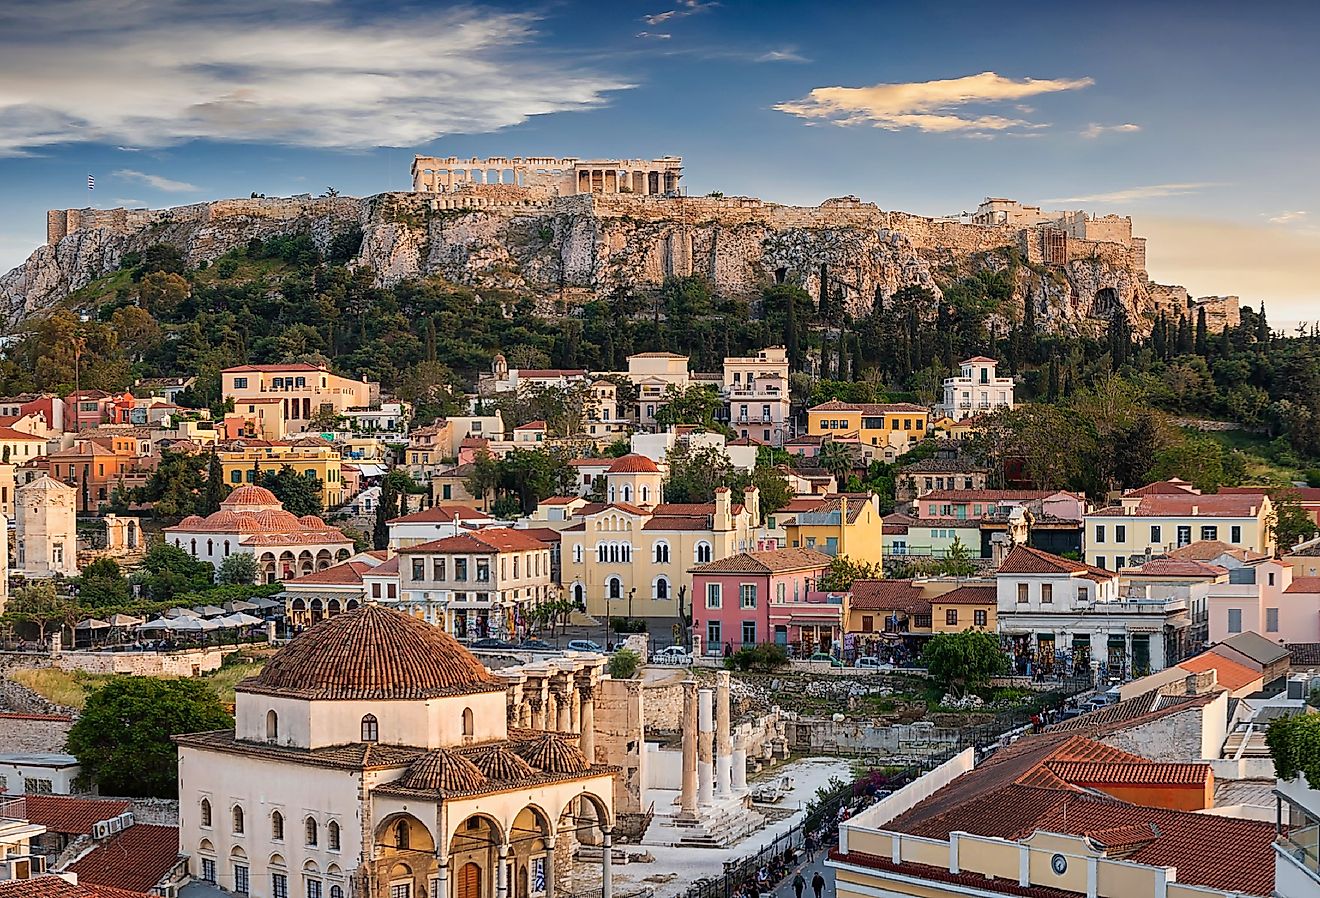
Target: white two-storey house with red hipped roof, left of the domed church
{"points": [[478, 584]]}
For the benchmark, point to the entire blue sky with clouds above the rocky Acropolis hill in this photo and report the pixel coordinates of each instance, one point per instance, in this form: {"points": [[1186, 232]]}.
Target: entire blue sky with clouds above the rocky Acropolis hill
{"points": [[1198, 120]]}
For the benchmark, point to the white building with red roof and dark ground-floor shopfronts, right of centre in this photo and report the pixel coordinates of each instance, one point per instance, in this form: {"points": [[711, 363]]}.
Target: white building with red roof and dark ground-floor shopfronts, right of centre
{"points": [[1057, 612]]}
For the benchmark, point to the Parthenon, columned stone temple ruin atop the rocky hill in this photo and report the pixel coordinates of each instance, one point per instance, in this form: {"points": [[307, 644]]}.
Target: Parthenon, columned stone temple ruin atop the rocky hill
{"points": [[550, 176]]}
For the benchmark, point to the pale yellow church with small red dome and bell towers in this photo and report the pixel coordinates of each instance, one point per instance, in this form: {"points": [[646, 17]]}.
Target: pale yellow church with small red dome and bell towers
{"points": [[625, 559]]}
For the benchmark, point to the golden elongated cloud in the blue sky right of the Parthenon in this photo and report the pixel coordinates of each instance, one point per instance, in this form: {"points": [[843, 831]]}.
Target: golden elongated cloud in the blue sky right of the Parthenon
{"points": [[931, 106]]}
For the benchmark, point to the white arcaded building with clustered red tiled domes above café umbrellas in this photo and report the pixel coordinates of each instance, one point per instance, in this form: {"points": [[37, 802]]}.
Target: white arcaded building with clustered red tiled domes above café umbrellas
{"points": [[253, 521]]}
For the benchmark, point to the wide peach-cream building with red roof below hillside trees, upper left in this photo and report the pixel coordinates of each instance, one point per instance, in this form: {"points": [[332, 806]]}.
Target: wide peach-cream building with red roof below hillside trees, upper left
{"points": [[303, 392]]}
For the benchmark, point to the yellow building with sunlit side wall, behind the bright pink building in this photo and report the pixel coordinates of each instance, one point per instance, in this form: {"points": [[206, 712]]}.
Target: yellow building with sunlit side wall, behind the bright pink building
{"points": [[844, 524]]}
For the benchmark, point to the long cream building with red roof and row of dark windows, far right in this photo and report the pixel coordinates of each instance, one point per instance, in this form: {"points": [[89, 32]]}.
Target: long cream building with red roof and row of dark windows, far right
{"points": [[1140, 526]]}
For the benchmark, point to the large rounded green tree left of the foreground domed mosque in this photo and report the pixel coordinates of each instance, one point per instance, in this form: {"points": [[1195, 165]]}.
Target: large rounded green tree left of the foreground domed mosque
{"points": [[123, 738]]}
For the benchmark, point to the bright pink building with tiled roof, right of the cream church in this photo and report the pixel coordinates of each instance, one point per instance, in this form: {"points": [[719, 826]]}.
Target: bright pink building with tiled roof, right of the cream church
{"points": [[758, 598]]}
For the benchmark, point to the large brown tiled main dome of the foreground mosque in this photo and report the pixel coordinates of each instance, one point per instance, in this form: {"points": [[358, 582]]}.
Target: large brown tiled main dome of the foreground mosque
{"points": [[373, 653]]}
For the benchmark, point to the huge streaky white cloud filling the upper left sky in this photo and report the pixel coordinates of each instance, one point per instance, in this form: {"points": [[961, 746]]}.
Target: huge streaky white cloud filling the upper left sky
{"points": [[155, 73]]}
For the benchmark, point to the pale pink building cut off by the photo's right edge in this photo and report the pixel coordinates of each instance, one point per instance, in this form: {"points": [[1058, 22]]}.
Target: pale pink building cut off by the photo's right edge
{"points": [[1267, 599]]}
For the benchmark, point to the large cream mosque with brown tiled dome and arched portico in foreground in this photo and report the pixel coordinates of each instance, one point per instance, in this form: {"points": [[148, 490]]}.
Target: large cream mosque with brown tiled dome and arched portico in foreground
{"points": [[376, 756]]}
